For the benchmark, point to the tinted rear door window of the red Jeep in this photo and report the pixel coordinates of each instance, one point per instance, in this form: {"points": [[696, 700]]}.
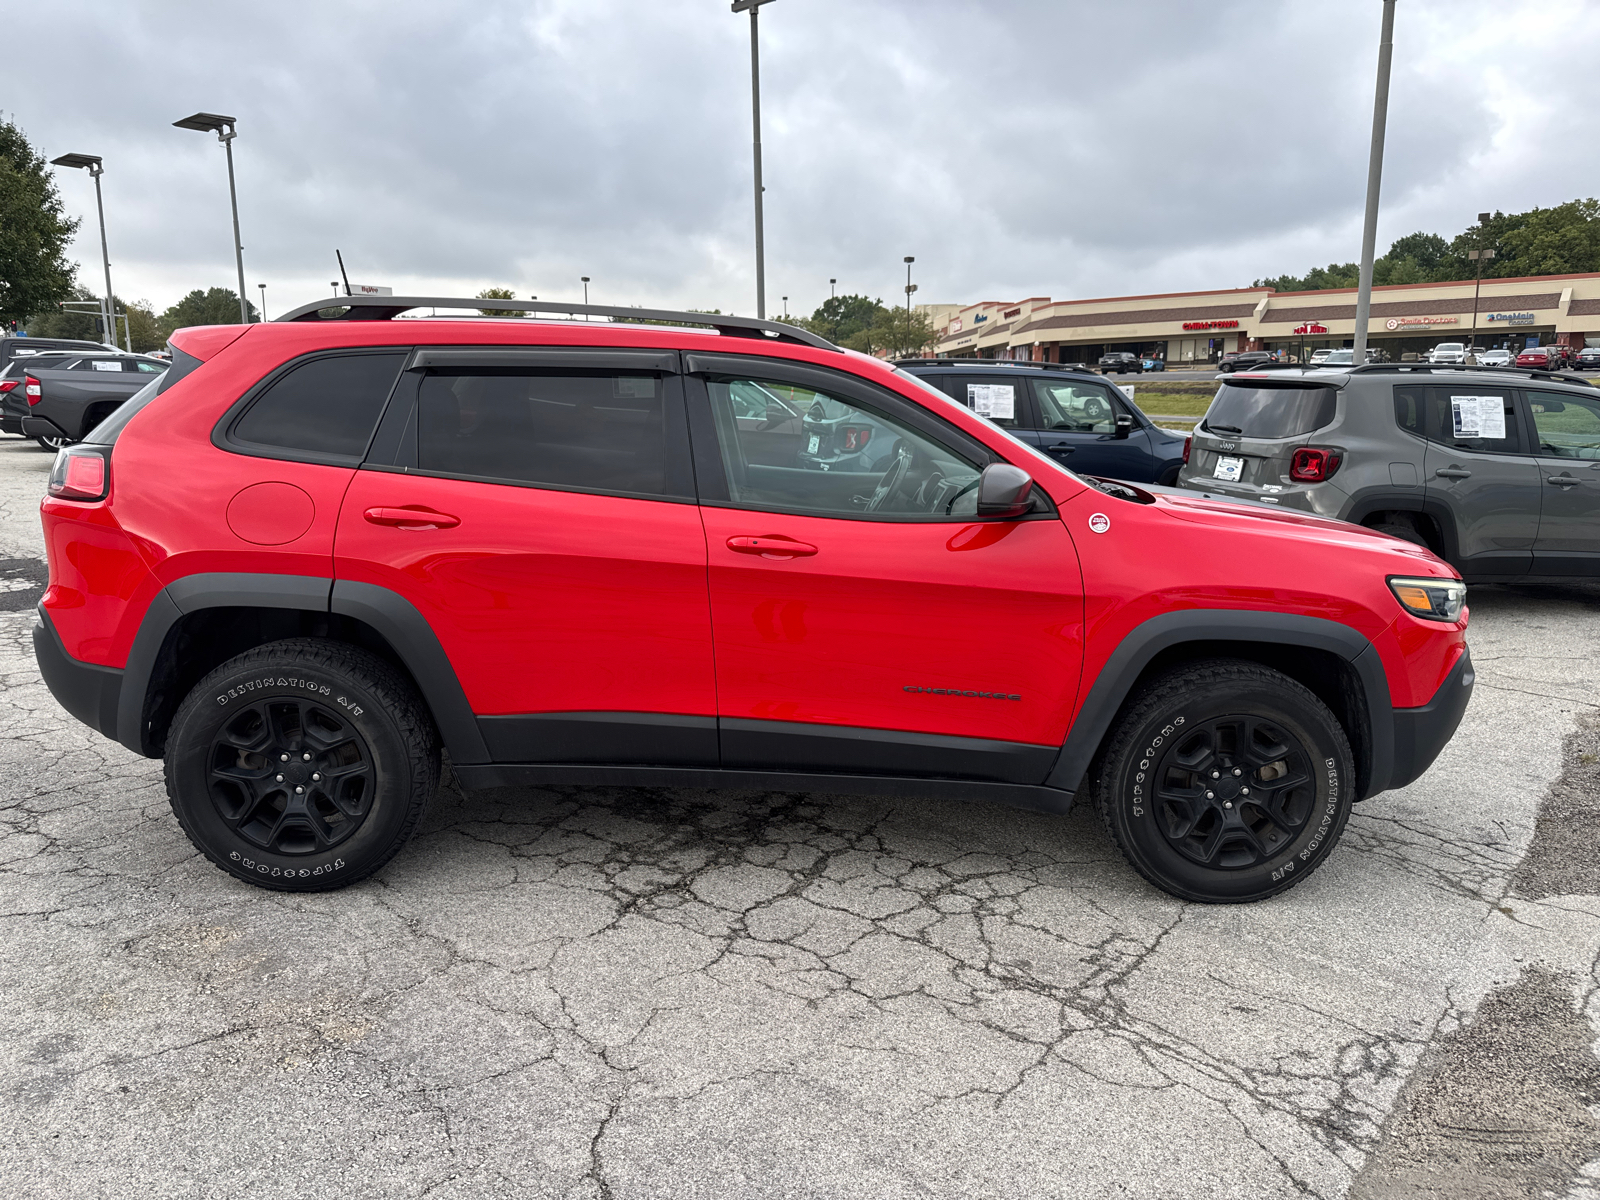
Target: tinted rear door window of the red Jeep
{"points": [[596, 431]]}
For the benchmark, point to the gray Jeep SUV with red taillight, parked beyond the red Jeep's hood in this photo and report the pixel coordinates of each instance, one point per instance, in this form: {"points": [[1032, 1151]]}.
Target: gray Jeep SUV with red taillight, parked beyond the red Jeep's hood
{"points": [[1494, 470]]}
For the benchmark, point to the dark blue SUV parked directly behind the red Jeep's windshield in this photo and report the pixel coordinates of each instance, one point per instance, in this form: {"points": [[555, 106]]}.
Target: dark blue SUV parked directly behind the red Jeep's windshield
{"points": [[1071, 415]]}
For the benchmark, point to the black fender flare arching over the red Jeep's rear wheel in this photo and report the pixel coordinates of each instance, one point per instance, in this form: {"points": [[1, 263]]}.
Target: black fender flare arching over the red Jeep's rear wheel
{"points": [[393, 617]]}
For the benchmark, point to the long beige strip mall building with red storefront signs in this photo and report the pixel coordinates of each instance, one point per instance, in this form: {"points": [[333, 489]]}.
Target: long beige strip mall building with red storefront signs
{"points": [[1198, 327]]}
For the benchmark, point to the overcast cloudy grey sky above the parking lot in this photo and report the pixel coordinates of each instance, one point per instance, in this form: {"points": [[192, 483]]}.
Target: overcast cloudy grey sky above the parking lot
{"points": [[1017, 148]]}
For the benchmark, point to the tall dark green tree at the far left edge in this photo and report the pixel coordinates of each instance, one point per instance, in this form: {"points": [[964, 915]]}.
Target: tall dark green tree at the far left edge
{"points": [[34, 233]]}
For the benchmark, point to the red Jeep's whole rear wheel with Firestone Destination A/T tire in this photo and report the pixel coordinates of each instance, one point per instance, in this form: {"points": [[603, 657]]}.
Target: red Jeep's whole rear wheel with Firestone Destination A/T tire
{"points": [[302, 766]]}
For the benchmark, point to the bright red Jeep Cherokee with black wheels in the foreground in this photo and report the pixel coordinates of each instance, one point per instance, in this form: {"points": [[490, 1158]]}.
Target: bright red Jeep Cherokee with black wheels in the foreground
{"points": [[321, 551]]}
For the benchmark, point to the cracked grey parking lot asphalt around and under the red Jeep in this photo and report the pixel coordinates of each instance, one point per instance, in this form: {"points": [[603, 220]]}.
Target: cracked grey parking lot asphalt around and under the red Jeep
{"points": [[647, 993]]}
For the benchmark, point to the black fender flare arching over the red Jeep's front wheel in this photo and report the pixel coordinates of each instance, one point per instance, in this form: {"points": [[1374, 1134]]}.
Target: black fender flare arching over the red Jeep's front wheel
{"points": [[1226, 625]]}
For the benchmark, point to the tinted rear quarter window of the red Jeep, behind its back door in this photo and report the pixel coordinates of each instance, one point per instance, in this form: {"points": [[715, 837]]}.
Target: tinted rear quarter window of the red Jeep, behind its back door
{"points": [[322, 407]]}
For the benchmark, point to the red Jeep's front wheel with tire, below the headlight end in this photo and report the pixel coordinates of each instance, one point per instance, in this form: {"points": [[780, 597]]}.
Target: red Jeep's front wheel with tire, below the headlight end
{"points": [[1226, 782]]}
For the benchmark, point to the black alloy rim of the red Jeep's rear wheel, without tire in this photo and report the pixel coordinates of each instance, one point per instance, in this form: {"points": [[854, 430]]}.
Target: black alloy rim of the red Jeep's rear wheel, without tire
{"points": [[292, 777]]}
